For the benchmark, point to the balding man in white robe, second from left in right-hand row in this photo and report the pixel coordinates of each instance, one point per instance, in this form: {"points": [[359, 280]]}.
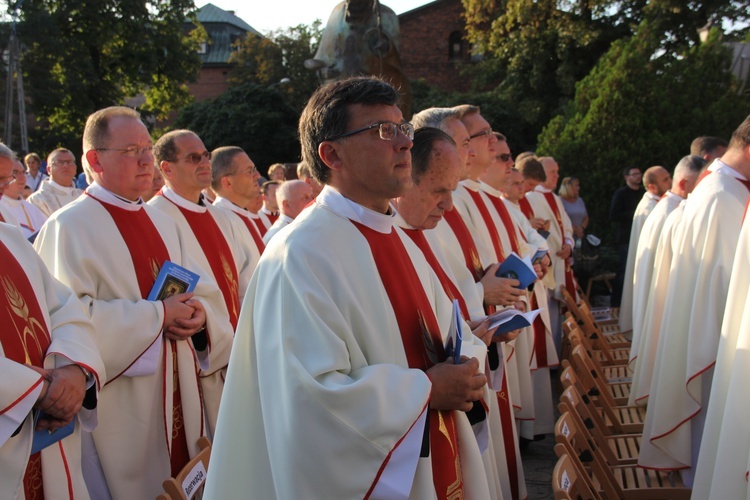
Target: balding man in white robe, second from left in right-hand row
{"points": [[684, 181]]}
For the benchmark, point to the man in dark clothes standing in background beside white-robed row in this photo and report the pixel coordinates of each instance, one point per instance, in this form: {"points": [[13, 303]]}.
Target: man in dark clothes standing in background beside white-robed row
{"points": [[621, 211]]}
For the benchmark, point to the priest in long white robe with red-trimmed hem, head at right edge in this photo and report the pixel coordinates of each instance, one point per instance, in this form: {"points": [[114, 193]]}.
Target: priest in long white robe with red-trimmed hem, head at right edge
{"points": [[706, 242]]}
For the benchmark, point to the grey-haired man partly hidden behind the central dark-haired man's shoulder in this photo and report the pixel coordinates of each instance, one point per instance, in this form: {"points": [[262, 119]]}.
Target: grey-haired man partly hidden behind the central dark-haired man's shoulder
{"points": [[234, 178]]}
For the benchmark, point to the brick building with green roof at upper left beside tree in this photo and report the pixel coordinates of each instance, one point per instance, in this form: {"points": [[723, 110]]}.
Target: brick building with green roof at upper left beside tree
{"points": [[224, 29]]}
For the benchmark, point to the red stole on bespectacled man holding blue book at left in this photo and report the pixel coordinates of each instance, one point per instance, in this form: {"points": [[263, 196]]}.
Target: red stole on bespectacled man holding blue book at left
{"points": [[148, 253]]}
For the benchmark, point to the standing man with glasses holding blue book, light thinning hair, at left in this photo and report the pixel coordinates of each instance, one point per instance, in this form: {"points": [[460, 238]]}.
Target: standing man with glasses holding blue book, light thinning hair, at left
{"points": [[109, 247]]}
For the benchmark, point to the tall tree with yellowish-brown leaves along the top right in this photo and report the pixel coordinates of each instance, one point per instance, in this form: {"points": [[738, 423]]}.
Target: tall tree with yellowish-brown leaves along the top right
{"points": [[535, 51]]}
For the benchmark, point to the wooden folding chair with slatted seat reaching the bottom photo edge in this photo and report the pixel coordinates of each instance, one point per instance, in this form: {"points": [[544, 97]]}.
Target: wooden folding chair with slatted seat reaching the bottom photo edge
{"points": [[624, 481]]}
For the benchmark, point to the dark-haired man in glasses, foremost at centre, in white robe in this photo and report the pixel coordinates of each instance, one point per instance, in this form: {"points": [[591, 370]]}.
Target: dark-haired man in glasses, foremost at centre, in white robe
{"points": [[341, 359]]}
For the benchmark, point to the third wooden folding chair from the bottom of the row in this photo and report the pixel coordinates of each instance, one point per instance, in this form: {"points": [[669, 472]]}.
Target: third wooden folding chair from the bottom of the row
{"points": [[618, 449]]}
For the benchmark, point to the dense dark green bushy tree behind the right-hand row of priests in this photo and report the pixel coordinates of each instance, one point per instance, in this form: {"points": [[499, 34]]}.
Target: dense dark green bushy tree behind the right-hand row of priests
{"points": [[641, 106]]}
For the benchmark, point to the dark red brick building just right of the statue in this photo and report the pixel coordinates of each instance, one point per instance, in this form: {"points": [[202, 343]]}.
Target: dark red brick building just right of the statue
{"points": [[433, 43]]}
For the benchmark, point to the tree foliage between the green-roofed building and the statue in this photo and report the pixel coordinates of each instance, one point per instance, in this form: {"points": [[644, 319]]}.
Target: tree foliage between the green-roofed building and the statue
{"points": [[280, 54]]}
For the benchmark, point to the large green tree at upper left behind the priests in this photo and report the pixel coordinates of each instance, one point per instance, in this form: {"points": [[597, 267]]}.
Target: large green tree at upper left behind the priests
{"points": [[80, 56]]}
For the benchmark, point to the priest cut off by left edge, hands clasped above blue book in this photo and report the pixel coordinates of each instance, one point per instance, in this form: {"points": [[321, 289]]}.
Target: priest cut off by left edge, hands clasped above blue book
{"points": [[49, 364]]}
